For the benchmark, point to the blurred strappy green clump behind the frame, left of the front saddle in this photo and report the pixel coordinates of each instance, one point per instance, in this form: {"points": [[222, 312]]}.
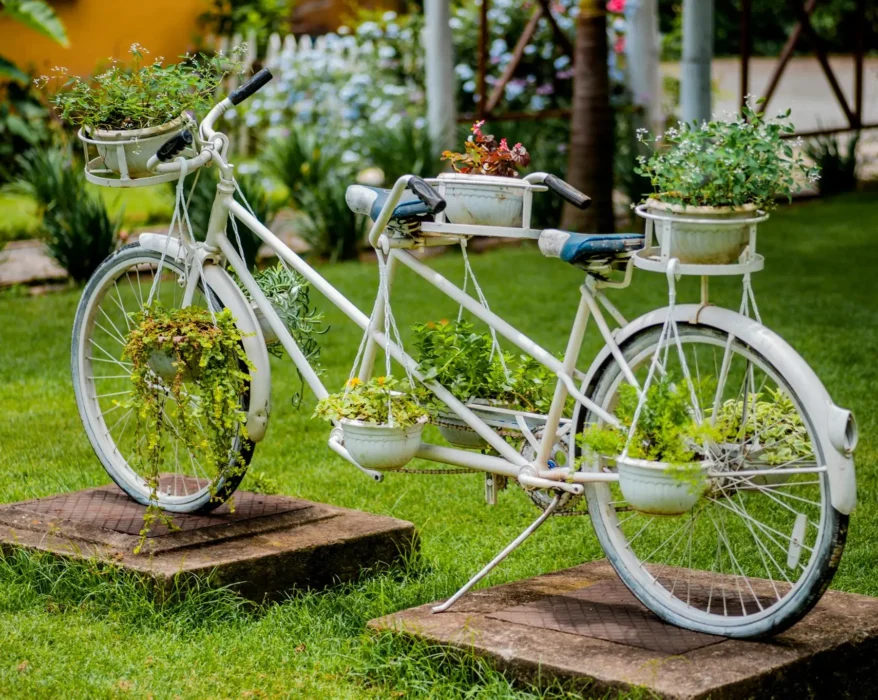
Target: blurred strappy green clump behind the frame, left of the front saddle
{"points": [[316, 178]]}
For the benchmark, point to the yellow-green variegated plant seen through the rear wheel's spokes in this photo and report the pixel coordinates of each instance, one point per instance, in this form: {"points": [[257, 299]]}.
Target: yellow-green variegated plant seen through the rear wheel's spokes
{"points": [[773, 428]]}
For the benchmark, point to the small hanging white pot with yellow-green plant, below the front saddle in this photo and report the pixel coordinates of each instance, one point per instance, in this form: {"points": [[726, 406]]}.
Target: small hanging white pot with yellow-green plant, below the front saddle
{"points": [[381, 427]]}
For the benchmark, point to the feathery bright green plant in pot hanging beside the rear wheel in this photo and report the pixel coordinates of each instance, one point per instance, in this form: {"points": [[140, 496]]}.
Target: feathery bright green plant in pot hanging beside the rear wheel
{"points": [[666, 431]]}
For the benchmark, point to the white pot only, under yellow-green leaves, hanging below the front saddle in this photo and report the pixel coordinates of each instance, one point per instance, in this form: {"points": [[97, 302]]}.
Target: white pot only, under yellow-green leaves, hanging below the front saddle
{"points": [[382, 447]]}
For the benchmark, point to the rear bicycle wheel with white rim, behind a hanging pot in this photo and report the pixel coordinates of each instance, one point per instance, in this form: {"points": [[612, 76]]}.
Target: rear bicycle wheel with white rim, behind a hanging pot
{"points": [[763, 542]]}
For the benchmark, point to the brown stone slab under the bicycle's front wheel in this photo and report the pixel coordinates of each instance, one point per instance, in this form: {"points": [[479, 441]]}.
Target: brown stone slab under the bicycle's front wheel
{"points": [[268, 545]]}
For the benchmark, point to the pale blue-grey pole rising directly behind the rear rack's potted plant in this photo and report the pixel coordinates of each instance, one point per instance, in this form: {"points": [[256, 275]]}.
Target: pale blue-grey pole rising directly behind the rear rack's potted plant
{"points": [[697, 55]]}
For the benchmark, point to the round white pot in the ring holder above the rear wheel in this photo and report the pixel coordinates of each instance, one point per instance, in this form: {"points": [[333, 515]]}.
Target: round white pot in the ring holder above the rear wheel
{"points": [[708, 243]]}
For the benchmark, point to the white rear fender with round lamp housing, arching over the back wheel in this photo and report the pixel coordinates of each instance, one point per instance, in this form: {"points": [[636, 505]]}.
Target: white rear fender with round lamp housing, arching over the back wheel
{"points": [[835, 426]]}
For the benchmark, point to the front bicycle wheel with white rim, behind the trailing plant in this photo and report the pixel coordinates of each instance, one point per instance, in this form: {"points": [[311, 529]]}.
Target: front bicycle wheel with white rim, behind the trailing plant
{"points": [[102, 383]]}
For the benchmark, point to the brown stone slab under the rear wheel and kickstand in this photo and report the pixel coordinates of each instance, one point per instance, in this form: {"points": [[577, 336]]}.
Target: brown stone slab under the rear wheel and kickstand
{"points": [[581, 626]]}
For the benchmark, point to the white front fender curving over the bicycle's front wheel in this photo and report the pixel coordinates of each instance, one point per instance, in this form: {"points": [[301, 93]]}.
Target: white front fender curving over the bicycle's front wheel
{"points": [[233, 299]]}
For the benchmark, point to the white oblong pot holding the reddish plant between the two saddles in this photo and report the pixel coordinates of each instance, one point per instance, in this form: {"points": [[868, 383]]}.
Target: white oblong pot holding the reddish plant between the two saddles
{"points": [[483, 200]]}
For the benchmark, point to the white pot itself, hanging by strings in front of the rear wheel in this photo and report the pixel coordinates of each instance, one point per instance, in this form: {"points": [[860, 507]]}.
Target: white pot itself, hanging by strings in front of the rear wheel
{"points": [[652, 487]]}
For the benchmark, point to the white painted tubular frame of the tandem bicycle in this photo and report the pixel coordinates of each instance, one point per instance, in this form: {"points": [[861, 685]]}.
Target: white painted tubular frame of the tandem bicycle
{"points": [[509, 463]]}
